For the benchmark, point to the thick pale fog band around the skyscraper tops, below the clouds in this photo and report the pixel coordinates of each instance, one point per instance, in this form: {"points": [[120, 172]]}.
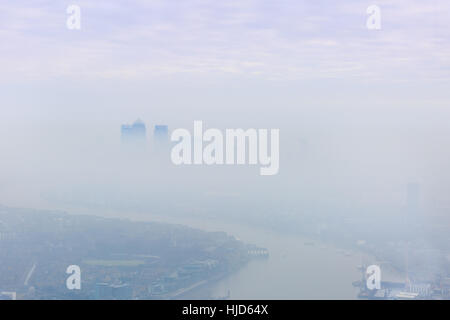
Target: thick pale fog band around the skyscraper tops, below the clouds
{"points": [[347, 149]]}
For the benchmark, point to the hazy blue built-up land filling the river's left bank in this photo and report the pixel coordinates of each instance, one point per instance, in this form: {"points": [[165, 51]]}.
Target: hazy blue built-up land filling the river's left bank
{"points": [[118, 259]]}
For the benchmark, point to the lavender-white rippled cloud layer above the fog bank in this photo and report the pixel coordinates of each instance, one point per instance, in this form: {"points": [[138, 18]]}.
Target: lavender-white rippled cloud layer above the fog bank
{"points": [[286, 39]]}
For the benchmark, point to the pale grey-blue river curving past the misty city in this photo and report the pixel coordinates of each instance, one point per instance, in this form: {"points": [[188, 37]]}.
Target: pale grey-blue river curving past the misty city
{"points": [[295, 269]]}
